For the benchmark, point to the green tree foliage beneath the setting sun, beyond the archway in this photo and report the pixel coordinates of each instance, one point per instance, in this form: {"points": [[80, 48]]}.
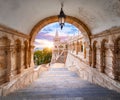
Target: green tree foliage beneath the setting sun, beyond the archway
{"points": [[42, 56]]}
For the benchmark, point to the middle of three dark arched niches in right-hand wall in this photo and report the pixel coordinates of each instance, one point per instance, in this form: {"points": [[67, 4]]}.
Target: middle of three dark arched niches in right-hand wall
{"points": [[103, 55]]}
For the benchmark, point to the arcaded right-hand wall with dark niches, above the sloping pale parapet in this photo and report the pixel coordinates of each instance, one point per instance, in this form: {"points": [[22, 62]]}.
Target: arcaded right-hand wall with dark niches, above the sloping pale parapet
{"points": [[105, 52]]}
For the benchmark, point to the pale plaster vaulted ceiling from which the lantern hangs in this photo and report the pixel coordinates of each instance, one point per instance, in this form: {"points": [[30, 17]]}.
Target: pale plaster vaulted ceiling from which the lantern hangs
{"points": [[23, 15]]}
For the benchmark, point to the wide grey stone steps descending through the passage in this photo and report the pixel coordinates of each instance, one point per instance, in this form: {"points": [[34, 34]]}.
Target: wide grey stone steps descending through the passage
{"points": [[61, 84]]}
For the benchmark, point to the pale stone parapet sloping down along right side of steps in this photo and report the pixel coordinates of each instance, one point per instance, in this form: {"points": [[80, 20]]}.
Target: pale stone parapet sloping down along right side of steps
{"points": [[86, 72]]}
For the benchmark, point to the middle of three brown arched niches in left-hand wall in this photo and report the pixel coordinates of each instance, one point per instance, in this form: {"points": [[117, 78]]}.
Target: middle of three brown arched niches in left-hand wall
{"points": [[18, 56]]}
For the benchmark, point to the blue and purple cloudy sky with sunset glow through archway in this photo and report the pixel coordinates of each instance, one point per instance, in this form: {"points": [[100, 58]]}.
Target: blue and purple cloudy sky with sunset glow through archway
{"points": [[46, 35]]}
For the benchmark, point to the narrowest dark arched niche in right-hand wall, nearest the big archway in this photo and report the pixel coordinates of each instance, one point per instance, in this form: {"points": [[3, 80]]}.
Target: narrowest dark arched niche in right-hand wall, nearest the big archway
{"points": [[94, 55]]}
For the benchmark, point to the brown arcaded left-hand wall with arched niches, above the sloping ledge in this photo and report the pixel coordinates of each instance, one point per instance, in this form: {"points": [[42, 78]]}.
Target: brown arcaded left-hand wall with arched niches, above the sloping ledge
{"points": [[14, 52]]}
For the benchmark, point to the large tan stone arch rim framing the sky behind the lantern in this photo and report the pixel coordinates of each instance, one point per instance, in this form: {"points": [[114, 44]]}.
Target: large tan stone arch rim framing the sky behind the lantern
{"points": [[69, 19]]}
